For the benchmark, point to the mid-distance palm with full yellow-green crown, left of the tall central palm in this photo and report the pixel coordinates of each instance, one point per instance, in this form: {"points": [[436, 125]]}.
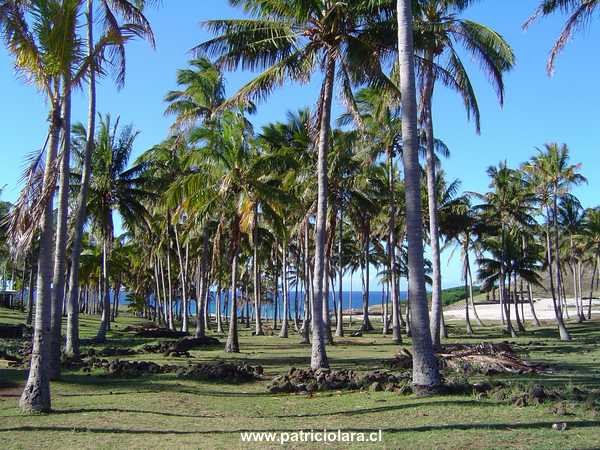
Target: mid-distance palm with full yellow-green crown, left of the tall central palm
{"points": [[239, 180]]}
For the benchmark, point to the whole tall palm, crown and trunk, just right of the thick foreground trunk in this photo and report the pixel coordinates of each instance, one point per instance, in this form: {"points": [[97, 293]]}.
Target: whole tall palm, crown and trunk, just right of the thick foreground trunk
{"points": [[439, 32]]}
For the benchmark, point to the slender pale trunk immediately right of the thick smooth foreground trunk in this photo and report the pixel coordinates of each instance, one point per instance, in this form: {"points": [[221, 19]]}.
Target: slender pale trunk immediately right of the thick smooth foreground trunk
{"points": [[436, 293]]}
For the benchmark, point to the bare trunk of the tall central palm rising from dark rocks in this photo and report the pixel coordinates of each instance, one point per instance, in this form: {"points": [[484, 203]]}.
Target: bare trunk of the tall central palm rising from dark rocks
{"points": [[319, 355]]}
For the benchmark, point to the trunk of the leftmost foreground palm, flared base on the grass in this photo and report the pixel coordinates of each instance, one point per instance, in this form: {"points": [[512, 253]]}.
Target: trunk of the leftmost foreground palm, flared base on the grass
{"points": [[36, 394]]}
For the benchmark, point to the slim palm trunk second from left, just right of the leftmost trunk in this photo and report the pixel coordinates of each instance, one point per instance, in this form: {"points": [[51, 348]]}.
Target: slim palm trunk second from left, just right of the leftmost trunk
{"points": [[58, 280]]}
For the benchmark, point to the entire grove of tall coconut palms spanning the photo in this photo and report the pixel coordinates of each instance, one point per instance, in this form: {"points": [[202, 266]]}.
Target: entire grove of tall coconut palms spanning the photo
{"points": [[220, 205]]}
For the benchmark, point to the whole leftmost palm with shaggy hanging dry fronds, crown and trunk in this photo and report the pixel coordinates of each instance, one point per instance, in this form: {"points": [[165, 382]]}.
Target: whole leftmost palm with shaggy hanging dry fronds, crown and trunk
{"points": [[40, 34]]}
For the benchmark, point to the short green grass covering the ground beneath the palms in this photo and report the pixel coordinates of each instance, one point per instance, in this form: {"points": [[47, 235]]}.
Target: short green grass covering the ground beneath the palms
{"points": [[93, 411]]}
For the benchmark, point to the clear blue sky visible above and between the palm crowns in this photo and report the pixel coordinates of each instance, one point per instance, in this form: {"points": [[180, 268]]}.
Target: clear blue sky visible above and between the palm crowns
{"points": [[538, 109]]}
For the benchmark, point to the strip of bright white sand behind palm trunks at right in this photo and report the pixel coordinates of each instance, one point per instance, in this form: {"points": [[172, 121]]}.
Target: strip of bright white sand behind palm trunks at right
{"points": [[543, 309]]}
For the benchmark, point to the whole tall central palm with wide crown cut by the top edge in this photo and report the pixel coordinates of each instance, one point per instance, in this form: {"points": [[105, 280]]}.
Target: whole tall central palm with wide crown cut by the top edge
{"points": [[290, 40]]}
